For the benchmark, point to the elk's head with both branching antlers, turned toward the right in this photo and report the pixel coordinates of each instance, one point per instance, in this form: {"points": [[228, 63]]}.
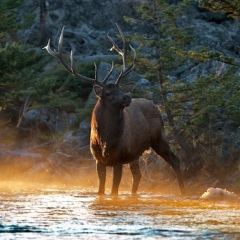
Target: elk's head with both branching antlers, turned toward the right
{"points": [[110, 93]]}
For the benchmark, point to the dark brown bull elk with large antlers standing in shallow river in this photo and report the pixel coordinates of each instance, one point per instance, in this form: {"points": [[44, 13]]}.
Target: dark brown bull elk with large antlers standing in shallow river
{"points": [[121, 128]]}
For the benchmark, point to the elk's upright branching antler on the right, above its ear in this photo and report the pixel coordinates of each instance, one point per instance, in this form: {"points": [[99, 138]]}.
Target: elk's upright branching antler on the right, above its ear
{"points": [[123, 53]]}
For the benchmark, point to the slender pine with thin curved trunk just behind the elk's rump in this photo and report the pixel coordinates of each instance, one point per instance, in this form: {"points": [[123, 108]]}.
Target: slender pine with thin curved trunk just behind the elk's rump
{"points": [[165, 36]]}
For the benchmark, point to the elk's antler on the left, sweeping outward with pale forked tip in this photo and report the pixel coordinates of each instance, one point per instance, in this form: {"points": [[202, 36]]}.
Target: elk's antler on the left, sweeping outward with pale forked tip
{"points": [[60, 57]]}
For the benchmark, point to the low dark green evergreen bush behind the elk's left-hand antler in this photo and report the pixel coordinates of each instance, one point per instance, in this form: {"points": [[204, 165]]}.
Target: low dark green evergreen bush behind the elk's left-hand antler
{"points": [[58, 89]]}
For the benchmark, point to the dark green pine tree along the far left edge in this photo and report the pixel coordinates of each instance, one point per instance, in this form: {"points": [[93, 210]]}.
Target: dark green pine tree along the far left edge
{"points": [[18, 61]]}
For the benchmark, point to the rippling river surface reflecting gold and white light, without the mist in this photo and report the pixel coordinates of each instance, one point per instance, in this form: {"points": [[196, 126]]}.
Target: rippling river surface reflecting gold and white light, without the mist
{"points": [[58, 213]]}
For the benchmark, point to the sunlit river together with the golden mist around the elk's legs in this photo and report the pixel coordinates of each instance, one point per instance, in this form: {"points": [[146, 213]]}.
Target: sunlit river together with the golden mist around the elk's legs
{"points": [[39, 203]]}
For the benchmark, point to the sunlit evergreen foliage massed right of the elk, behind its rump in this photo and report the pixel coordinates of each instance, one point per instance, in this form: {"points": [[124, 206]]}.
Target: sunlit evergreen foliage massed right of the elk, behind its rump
{"points": [[196, 111]]}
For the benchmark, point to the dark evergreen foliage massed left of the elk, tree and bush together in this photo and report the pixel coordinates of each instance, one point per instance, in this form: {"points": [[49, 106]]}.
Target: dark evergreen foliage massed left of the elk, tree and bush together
{"points": [[22, 72]]}
